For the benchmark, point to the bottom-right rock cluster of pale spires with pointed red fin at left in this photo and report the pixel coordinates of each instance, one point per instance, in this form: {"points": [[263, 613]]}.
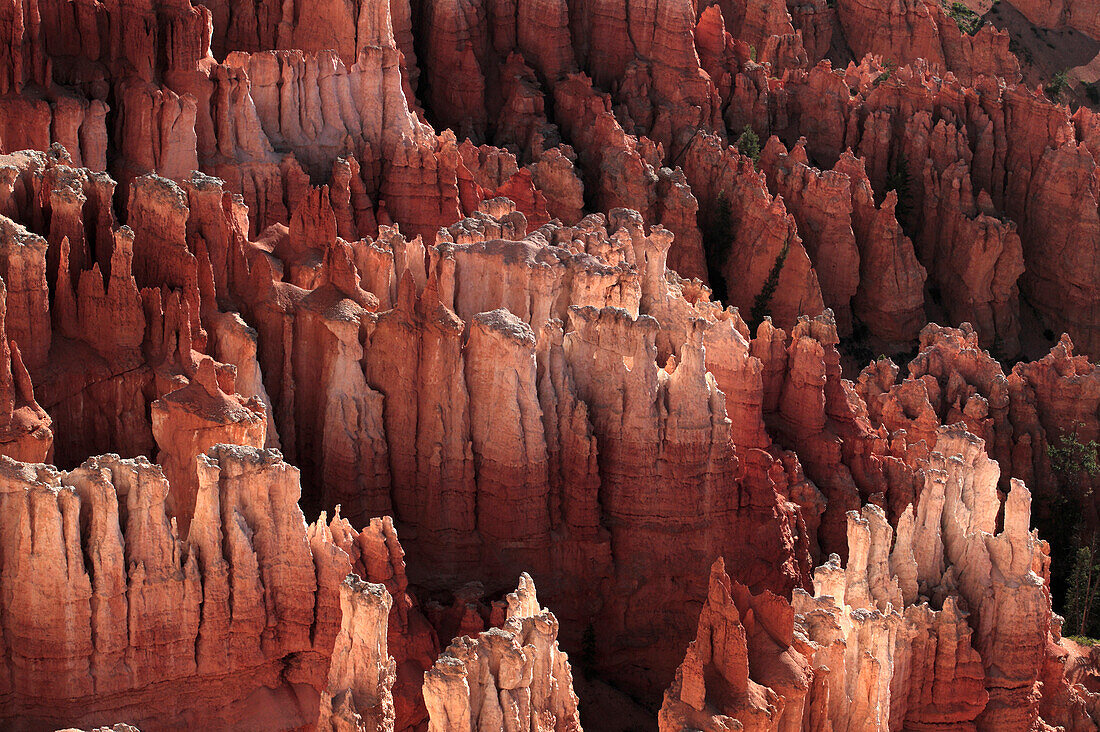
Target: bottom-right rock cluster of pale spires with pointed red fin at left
{"points": [[945, 621]]}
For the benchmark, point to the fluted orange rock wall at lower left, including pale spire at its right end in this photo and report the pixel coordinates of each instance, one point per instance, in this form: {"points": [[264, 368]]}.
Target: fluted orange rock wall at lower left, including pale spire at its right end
{"points": [[249, 621]]}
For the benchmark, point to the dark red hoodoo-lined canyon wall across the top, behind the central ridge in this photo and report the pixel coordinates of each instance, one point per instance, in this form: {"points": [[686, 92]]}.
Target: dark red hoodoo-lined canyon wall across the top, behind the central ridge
{"points": [[562, 125]]}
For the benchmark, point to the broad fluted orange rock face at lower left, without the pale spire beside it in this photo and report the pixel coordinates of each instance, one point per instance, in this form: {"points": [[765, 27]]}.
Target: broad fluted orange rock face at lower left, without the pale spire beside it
{"points": [[225, 619]]}
